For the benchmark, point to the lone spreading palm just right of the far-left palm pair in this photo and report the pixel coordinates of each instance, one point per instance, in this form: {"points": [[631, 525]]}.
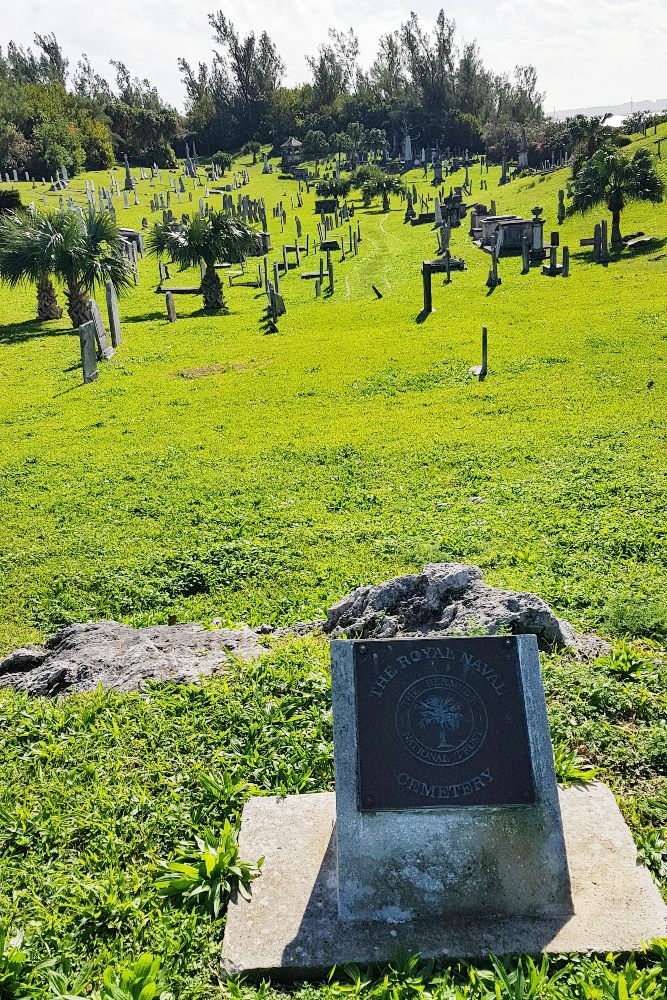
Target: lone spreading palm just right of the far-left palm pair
{"points": [[211, 238]]}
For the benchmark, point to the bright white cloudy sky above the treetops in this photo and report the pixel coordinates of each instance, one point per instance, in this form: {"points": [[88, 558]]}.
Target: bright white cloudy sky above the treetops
{"points": [[587, 52]]}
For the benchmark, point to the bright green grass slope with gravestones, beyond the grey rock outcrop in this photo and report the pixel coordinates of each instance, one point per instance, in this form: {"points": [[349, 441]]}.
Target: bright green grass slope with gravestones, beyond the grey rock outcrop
{"points": [[218, 471]]}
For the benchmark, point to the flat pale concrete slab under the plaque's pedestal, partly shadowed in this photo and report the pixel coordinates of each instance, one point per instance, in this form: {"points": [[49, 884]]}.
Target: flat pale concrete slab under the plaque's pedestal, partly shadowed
{"points": [[290, 927]]}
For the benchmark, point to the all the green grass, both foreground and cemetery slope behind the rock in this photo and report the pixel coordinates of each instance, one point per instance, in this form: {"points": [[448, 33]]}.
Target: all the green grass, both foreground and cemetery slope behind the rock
{"points": [[215, 470]]}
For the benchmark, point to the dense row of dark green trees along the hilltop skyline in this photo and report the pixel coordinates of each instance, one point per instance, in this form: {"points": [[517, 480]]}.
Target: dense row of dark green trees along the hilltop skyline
{"points": [[423, 81]]}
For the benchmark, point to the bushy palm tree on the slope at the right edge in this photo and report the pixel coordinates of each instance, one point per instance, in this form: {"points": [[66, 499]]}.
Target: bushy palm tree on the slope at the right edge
{"points": [[610, 177]]}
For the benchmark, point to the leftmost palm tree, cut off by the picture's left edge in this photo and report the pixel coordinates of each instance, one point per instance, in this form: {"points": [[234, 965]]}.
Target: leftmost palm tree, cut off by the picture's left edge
{"points": [[27, 254]]}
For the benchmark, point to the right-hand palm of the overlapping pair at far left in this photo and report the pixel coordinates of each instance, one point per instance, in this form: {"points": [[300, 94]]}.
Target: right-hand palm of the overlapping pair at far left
{"points": [[87, 253]]}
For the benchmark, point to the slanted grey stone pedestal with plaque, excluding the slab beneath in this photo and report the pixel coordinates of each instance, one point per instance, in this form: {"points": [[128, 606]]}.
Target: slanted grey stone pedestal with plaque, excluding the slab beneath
{"points": [[458, 817]]}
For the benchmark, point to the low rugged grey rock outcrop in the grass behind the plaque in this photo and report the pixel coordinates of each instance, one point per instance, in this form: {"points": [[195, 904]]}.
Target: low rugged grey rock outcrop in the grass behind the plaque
{"points": [[444, 599]]}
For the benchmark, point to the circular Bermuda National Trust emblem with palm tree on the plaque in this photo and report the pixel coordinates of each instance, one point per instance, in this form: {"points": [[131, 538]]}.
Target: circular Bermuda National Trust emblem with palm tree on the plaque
{"points": [[441, 720]]}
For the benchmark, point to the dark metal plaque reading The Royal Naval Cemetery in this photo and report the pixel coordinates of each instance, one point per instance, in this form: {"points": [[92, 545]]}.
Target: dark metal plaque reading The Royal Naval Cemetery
{"points": [[441, 723]]}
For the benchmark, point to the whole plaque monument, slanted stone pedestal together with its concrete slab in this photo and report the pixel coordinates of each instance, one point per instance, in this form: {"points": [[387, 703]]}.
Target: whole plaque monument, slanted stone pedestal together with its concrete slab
{"points": [[447, 833]]}
